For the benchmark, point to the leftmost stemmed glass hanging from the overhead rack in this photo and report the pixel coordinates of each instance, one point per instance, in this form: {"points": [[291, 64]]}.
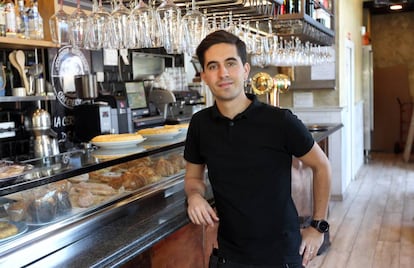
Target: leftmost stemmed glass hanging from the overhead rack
{"points": [[59, 26]]}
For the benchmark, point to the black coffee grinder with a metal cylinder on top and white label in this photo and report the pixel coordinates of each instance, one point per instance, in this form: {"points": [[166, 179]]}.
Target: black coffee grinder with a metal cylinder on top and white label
{"points": [[91, 118]]}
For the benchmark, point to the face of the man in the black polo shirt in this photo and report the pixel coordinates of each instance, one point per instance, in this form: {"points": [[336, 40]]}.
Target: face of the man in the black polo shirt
{"points": [[224, 71]]}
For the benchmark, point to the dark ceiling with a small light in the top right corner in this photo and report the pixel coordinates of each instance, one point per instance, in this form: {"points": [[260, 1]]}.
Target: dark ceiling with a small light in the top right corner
{"points": [[381, 7]]}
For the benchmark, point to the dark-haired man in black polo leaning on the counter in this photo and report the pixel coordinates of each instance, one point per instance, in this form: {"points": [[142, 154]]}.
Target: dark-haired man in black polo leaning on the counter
{"points": [[247, 147]]}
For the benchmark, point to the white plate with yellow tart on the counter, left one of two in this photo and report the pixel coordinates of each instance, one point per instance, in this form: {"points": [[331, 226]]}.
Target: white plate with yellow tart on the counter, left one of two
{"points": [[117, 141]]}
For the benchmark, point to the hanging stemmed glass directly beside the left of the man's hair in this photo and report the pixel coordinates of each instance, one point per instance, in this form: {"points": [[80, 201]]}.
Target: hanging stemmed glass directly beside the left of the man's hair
{"points": [[194, 28]]}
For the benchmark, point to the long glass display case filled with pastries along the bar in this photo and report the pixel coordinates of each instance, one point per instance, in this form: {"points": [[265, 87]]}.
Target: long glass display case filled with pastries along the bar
{"points": [[63, 192]]}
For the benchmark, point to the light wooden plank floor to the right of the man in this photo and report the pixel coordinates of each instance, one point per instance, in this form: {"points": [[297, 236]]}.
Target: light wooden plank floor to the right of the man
{"points": [[374, 225]]}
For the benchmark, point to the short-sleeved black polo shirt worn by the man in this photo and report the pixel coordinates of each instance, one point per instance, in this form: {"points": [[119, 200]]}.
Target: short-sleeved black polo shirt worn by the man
{"points": [[249, 163]]}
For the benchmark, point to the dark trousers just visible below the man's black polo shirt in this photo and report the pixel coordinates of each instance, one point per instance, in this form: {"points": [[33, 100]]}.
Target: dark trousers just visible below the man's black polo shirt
{"points": [[217, 261]]}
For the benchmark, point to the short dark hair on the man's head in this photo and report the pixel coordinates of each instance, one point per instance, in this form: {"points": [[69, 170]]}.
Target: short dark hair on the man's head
{"points": [[217, 37]]}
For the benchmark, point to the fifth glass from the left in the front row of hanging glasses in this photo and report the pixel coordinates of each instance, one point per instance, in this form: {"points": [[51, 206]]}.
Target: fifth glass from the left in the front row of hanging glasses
{"points": [[147, 34]]}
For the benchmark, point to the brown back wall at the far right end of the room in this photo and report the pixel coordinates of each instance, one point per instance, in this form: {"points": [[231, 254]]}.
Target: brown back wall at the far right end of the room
{"points": [[392, 39]]}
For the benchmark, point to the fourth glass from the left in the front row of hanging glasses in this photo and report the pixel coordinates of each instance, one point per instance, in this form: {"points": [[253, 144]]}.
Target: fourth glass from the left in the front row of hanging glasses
{"points": [[122, 26]]}
